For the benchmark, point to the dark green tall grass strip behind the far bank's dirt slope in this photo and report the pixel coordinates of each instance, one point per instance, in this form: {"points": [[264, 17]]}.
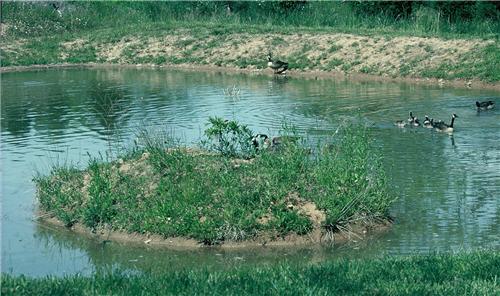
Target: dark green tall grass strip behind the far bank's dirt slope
{"points": [[415, 18]]}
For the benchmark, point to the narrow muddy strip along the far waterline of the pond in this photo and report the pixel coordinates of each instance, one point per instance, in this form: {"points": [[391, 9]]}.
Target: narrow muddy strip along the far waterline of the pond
{"points": [[311, 74]]}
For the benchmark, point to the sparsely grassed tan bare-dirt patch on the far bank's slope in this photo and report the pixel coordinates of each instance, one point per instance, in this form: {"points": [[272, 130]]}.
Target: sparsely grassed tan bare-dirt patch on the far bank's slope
{"points": [[389, 56]]}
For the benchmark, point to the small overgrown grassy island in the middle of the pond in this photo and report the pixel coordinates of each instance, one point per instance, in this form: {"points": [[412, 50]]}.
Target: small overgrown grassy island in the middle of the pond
{"points": [[228, 191]]}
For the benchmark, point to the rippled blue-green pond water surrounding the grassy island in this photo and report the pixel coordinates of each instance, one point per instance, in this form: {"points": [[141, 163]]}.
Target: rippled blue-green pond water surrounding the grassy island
{"points": [[448, 186]]}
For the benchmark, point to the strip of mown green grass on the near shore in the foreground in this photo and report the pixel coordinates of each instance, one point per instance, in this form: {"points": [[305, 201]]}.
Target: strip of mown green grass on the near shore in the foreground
{"points": [[475, 273]]}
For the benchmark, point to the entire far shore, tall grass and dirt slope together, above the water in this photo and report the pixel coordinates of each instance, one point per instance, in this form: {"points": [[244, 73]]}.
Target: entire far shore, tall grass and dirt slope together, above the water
{"points": [[239, 34]]}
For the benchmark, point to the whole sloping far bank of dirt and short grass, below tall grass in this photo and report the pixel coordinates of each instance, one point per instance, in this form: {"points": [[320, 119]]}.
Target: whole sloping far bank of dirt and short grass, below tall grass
{"points": [[455, 62]]}
